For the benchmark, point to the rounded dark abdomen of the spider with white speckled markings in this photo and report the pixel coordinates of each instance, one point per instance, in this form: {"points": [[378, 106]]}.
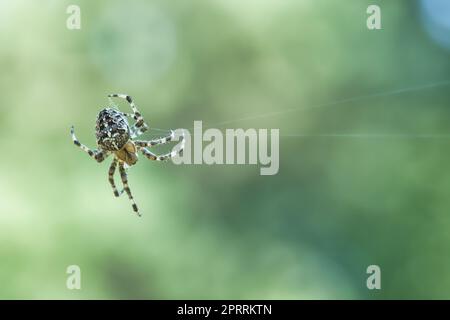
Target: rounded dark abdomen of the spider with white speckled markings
{"points": [[112, 130]]}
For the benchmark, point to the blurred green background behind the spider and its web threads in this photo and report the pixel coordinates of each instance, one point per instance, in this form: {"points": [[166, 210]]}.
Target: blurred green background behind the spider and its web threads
{"points": [[361, 182]]}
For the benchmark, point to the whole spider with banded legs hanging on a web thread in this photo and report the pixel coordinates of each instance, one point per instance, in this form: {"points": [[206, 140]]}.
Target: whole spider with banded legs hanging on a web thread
{"points": [[115, 136]]}
